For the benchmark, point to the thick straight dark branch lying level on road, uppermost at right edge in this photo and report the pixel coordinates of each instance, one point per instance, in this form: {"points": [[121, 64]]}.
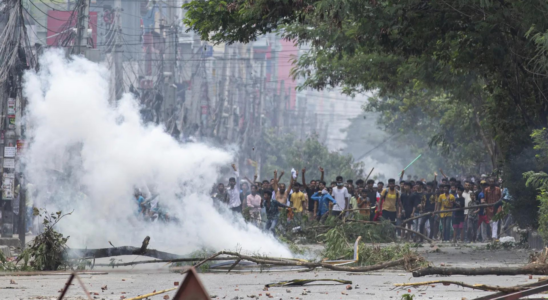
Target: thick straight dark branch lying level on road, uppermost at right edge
{"points": [[530, 269]]}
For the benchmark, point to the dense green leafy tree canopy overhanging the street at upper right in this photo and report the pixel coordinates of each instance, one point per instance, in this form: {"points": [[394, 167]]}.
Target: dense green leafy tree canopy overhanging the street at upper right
{"points": [[468, 76]]}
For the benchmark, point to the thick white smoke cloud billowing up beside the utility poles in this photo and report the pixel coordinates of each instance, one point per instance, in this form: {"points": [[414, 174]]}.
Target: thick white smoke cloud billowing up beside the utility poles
{"points": [[87, 155]]}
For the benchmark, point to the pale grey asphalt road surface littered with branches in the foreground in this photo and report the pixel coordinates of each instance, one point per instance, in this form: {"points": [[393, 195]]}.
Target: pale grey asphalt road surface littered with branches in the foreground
{"points": [[130, 282]]}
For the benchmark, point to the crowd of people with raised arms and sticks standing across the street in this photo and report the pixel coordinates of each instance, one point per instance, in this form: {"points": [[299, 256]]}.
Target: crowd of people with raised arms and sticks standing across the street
{"points": [[450, 209]]}
